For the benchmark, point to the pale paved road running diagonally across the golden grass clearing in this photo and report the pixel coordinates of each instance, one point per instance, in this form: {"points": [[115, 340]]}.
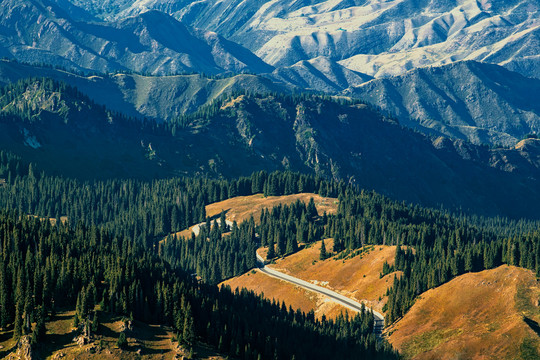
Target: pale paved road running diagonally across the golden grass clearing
{"points": [[338, 298]]}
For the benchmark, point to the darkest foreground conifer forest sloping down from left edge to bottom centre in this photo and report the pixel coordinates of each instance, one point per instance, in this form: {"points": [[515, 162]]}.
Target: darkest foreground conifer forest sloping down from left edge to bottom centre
{"points": [[46, 268]]}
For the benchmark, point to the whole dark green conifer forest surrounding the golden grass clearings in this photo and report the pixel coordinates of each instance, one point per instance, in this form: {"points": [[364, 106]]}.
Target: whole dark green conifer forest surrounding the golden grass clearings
{"points": [[120, 224]]}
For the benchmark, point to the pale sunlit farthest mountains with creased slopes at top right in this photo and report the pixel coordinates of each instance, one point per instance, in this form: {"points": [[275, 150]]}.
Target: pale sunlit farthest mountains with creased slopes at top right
{"points": [[375, 37]]}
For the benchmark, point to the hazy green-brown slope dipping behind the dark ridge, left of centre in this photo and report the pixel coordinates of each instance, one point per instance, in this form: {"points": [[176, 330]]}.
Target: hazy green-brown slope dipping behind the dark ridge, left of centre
{"points": [[154, 97]]}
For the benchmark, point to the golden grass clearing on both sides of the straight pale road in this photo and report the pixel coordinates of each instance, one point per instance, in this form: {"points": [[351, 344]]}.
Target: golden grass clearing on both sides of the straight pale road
{"points": [[356, 277]]}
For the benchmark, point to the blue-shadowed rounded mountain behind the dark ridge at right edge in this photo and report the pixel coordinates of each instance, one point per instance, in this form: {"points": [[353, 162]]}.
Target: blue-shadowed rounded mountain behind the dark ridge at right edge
{"points": [[480, 103]]}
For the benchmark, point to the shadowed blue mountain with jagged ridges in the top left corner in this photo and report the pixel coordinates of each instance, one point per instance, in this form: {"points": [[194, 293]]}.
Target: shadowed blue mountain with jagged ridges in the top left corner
{"points": [[40, 31]]}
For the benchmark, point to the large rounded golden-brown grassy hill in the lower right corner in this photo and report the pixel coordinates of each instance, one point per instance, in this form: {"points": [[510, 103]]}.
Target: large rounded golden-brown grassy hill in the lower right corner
{"points": [[475, 316]]}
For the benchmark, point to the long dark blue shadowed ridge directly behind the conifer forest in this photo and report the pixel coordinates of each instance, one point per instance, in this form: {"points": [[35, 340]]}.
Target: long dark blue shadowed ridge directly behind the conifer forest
{"points": [[56, 127]]}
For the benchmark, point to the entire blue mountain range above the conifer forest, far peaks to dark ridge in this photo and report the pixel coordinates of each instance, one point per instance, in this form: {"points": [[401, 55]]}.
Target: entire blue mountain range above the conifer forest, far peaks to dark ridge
{"points": [[468, 118]]}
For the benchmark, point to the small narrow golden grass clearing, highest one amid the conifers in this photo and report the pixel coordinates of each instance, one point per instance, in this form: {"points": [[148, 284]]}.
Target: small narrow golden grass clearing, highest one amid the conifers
{"points": [[243, 207]]}
